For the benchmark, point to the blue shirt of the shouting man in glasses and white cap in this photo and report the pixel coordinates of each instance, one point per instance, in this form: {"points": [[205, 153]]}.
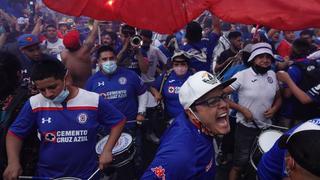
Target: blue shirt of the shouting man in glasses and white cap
{"points": [[184, 153]]}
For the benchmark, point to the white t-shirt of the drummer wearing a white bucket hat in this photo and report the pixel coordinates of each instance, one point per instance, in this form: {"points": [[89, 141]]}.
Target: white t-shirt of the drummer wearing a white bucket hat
{"points": [[257, 93]]}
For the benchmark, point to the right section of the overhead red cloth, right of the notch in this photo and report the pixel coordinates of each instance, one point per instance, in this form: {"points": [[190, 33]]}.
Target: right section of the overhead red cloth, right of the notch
{"points": [[278, 14]]}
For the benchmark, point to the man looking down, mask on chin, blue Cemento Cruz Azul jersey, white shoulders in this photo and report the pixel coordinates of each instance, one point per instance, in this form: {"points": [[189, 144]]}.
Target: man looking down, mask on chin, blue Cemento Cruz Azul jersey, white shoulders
{"points": [[67, 118]]}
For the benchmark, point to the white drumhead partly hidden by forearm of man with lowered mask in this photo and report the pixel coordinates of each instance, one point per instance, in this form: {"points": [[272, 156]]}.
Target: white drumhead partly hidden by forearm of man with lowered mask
{"points": [[124, 141]]}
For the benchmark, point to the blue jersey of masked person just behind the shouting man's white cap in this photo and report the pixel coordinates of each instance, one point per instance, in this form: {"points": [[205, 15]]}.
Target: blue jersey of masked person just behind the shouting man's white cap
{"points": [[170, 92]]}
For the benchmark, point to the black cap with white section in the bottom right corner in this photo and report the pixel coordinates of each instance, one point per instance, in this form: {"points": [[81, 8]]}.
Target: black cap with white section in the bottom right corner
{"points": [[304, 145]]}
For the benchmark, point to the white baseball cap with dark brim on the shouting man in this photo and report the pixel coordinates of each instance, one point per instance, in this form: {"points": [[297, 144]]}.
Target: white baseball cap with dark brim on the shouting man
{"points": [[198, 85]]}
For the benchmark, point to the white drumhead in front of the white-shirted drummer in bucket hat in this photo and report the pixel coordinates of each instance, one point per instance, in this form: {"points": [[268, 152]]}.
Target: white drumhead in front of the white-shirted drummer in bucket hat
{"points": [[267, 139]]}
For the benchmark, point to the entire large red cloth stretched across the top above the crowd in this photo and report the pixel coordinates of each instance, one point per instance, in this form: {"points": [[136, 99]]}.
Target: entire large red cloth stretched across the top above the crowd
{"points": [[168, 16]]}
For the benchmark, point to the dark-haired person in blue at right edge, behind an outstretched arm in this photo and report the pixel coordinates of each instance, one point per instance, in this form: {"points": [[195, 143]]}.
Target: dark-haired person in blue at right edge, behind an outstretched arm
{"points": [[305, 74]]}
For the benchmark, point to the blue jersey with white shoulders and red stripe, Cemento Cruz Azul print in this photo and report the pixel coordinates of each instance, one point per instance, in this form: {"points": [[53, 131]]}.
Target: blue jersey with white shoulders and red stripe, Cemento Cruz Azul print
{"points": [[68, 132]]}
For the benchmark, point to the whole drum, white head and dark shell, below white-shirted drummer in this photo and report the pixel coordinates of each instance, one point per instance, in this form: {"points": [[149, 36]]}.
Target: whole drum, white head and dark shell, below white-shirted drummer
{"points": [[263, 144]]}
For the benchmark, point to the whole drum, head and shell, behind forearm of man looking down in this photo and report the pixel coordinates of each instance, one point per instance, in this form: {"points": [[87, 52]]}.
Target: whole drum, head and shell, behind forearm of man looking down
{"points": [[123, 152]]}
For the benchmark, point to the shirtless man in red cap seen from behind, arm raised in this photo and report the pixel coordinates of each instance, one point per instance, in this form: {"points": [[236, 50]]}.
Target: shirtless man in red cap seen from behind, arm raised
{"points": [[76, 57]]}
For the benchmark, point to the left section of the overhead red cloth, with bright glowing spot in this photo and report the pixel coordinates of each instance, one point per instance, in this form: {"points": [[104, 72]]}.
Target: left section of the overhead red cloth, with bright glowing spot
{"points": [[164, 16]]}
